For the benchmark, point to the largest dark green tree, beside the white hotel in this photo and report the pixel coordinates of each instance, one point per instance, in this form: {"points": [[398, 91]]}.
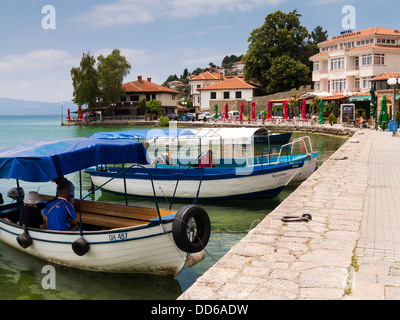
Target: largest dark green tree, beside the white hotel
{"points": [[281, 36]]}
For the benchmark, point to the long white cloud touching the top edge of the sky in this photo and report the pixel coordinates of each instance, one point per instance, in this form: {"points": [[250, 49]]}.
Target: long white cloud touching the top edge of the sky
{"points": [[126, 12]]}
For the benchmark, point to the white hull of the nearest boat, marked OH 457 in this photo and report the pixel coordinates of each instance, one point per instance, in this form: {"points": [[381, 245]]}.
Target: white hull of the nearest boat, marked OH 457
{"points": [[126, 250]]}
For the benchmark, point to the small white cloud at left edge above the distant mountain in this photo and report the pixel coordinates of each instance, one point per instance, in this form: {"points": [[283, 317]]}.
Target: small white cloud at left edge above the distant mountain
{"points": [[34, 60]]}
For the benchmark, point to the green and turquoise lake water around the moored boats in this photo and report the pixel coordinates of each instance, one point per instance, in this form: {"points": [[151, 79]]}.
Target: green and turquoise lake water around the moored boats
{"points": [[21, 275]]}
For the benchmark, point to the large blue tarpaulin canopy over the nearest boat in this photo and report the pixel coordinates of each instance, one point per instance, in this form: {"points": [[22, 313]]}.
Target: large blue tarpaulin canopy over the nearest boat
{"points": [[44, 160]]}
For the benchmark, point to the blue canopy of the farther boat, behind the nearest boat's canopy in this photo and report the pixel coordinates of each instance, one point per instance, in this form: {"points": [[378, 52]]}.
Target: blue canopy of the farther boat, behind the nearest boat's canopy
{"points": [[141, 134]]}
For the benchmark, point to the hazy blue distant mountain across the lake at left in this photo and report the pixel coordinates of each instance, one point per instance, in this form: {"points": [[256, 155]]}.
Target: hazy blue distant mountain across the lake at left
{"points": [[23, 107]]}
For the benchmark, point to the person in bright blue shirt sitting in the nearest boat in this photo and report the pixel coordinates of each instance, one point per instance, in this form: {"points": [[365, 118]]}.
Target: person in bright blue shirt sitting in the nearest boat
{"points": [[59, 213]]}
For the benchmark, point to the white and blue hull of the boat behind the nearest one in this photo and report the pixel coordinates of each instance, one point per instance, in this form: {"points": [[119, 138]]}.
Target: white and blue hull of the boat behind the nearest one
{"points": [[267, 185]]}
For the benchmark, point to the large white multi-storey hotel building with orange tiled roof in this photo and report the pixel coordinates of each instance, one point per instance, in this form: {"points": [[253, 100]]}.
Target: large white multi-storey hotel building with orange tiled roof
{"points": [[346, 64]]}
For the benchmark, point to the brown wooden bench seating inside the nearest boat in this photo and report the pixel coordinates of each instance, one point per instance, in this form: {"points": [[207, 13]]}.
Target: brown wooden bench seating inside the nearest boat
{"points": [[114, 215]]}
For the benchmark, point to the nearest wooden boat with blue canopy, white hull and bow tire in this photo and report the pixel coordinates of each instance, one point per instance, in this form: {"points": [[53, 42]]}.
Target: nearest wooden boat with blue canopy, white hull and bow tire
{"points": [[112, 238]]}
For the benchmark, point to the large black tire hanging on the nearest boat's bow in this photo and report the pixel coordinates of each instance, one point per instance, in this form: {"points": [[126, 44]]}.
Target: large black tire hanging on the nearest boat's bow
{"points": [[182, 229]]}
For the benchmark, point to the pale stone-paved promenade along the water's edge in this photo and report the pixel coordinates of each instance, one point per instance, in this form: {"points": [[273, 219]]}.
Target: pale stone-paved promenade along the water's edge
{"points": [[349, 250]]}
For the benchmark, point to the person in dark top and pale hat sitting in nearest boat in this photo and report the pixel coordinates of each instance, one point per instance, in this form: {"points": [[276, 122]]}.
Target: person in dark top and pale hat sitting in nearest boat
{"points": [[32, 216]]}
